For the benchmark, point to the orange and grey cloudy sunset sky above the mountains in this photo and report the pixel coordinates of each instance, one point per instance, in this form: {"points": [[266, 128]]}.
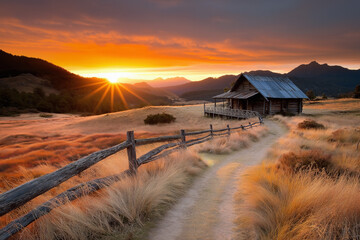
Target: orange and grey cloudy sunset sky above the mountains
{"points": [[145, 39]]}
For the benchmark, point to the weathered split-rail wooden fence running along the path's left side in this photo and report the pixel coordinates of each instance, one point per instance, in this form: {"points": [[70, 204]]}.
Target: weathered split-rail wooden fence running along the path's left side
{"points": [[22, 194]]}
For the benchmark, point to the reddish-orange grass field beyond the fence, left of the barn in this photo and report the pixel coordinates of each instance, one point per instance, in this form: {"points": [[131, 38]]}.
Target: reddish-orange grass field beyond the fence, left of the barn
{"points": [[29, 140]]}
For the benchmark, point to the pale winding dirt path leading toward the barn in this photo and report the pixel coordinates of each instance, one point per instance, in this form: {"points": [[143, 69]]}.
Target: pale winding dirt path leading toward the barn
{"points": [[206, 211]]}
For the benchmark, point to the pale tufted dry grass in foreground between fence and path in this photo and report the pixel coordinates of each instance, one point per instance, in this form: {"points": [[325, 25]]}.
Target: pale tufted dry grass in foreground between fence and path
{"points": [[122, 209]]}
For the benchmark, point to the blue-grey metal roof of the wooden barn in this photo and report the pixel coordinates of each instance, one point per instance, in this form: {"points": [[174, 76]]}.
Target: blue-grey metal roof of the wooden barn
{"points": [[274, 87]]}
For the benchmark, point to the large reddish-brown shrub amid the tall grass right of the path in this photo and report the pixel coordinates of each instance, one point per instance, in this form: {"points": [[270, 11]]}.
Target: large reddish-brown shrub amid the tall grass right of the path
{"points": [[310, 159]]}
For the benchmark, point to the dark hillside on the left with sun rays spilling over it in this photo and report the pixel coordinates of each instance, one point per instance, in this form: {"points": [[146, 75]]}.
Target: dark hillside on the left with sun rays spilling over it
{"points": [[69, 92]]}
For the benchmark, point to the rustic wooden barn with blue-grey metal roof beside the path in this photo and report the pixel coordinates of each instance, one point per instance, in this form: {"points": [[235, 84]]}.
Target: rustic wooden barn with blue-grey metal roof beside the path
{"points": [[266, 95]]}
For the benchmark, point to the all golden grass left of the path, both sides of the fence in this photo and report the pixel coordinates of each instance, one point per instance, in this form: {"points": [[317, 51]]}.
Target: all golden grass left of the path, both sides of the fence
{"points": [[32, 146]]}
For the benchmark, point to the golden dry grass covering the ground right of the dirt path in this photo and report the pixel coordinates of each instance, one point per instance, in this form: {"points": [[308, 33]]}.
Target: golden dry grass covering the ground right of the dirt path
{"points": [[309, 186]]}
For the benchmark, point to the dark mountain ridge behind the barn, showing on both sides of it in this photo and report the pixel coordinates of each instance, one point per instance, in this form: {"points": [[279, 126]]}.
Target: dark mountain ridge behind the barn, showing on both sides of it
{"points": [[321, 78]]}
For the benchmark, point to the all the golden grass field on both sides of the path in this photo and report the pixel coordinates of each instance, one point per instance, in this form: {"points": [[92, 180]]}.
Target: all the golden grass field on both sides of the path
{"points": [[307, 188]]}
